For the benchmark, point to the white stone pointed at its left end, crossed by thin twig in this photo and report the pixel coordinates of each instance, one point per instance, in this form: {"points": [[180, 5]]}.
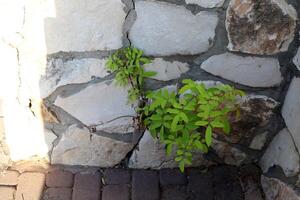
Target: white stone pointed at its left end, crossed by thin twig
{"points": [[102, 103]]}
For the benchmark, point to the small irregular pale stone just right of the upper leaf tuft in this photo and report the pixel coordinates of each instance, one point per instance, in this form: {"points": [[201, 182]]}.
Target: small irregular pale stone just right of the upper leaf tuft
{"points": [[166, 70]]}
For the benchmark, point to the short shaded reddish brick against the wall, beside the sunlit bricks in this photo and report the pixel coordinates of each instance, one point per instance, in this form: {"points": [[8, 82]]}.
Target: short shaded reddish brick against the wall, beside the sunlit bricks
{"points": [[59, 178]]}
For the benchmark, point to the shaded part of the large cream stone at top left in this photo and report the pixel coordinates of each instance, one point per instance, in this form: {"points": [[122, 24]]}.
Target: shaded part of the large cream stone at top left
{"points": [[85, 26]]}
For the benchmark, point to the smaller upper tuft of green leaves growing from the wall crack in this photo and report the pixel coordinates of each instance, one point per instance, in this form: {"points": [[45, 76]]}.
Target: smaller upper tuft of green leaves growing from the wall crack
{"points": [[128, 63]]}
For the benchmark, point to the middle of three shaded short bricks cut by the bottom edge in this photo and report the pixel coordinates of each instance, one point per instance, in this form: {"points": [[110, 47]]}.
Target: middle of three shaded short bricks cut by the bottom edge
{"points": [[116, 192]]}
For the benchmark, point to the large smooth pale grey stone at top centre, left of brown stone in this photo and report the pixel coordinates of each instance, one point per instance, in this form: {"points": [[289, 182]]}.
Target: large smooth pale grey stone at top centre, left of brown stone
{"points": [[167, 29]]}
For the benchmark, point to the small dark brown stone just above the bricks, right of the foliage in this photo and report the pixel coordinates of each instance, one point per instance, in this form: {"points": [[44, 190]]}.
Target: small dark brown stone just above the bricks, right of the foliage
{"points": [[229, 154]]}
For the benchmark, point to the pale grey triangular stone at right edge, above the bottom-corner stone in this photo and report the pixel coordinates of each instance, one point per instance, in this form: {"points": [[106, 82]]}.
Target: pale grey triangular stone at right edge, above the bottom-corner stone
{"points": [[281, 152]]}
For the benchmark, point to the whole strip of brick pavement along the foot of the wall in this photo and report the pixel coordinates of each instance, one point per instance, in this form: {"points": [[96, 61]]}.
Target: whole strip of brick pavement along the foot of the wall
{"points": [[218, 183]]}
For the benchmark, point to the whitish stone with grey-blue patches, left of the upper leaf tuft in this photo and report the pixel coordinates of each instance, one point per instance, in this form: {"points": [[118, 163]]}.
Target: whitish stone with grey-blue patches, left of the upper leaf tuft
{"points": [[59, 73]]}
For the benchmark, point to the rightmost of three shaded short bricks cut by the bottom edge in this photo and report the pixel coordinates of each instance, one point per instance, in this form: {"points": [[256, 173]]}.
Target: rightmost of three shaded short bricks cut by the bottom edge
{"points": [[174, 192]]}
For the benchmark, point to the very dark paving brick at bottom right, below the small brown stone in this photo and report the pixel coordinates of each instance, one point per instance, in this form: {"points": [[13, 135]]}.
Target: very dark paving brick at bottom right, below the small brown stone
{"points": [[226, 184]]}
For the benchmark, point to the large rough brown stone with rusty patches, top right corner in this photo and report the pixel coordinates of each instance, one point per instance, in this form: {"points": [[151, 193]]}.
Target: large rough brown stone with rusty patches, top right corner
{"points": [[264, 27]]}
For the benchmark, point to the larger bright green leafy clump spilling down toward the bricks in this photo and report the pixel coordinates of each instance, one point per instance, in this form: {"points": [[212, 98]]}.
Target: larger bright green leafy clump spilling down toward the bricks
{"points": [[187, 120]]}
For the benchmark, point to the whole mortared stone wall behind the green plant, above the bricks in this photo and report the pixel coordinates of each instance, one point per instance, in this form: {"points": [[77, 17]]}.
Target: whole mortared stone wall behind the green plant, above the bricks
{"points": [[59, 104]]}
